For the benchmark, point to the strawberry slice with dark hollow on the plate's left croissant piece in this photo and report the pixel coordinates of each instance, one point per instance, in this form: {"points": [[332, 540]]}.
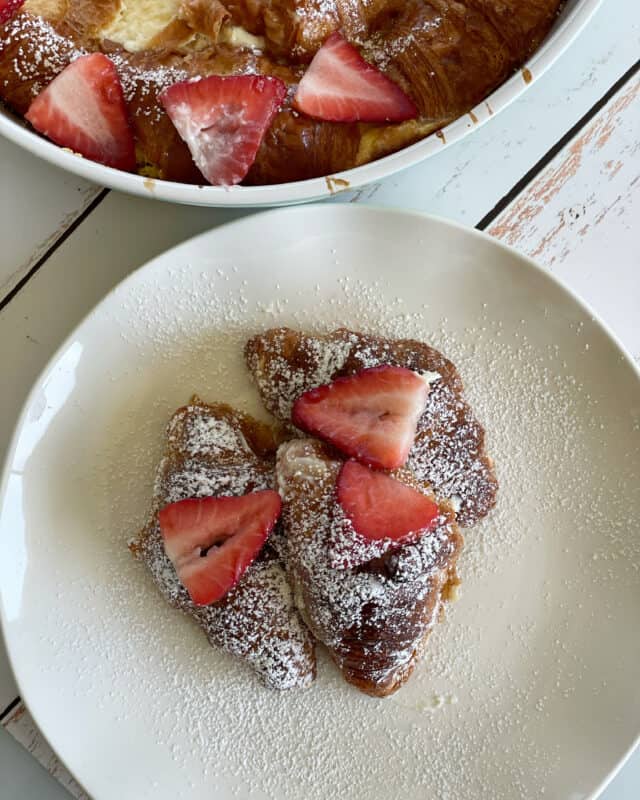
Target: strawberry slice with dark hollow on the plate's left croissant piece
{"points": [[212, 541]]}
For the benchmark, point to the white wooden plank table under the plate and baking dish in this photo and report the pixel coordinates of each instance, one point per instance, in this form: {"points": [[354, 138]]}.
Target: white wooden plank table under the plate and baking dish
{"points": [[557, 175]]}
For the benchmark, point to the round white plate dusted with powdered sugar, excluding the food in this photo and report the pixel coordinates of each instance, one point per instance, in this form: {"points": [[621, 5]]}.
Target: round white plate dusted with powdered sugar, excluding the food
{"points": [[529, 686]]}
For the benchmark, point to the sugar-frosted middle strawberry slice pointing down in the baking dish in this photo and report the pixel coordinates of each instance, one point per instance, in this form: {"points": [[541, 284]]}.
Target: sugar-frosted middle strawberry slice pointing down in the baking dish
{"points": [[223, 120]]}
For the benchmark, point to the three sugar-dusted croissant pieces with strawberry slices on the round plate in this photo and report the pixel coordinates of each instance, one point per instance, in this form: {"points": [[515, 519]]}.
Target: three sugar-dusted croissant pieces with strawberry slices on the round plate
{"points": [[349, 534]]}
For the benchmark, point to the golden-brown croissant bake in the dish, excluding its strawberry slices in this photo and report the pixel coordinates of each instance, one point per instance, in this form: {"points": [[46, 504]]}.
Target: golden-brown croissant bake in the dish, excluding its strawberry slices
{"points": [[444, 55]]}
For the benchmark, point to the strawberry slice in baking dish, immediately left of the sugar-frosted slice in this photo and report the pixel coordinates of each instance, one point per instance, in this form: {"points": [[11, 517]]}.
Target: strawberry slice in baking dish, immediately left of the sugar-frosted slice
{"points": [[83, 108]]}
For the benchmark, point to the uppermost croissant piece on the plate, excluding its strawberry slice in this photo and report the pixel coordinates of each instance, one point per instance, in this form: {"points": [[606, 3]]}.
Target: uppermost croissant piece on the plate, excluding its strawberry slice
{"points": [[448, 451]]}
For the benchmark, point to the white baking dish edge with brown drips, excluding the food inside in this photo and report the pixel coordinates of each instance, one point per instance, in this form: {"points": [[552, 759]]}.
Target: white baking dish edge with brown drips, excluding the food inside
{"points": [[575, 15]]}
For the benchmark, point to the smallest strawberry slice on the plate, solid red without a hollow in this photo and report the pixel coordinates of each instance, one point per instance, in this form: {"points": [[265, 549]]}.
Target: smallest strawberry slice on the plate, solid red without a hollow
{"points": [[380, 507]]}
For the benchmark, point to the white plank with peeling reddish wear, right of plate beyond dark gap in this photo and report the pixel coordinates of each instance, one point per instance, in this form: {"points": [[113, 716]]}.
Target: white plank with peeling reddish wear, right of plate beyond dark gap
{"points": [[580, 216]]}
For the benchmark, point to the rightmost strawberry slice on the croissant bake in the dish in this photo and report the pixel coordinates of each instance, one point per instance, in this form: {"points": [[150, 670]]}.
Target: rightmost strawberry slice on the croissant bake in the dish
{"points": [[340, 86]]}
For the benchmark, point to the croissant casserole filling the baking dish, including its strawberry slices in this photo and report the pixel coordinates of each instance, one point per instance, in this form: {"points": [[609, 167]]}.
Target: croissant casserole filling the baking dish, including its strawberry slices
{"points": [[255, 91]]}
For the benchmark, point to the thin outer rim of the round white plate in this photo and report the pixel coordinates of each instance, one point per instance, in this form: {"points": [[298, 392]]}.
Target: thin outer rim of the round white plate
{"points": [[364, 210]]}
